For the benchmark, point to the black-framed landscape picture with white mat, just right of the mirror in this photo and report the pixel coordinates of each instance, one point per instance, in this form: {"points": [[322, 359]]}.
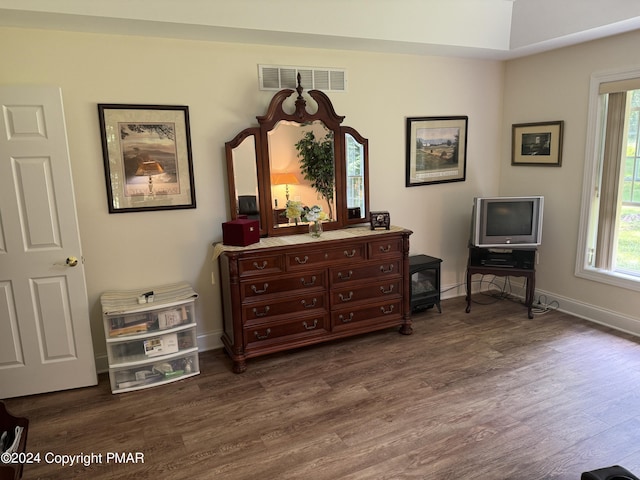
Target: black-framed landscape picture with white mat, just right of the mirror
{"points": [[436, 150]]}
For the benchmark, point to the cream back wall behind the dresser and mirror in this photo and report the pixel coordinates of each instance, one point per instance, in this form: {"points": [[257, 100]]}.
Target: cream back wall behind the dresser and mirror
{"points": [[219, 84]]}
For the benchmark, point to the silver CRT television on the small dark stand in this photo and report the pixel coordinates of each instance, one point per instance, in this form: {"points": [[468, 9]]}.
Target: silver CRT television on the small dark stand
{"points": [[507, 222]]}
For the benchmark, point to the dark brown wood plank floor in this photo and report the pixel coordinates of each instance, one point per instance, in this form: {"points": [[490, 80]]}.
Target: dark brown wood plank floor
{"points": [[486, 395]]}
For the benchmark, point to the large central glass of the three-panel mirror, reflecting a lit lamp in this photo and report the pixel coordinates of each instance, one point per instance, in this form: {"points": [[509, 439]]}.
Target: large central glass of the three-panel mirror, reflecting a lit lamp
{"points": [[302, 166]]}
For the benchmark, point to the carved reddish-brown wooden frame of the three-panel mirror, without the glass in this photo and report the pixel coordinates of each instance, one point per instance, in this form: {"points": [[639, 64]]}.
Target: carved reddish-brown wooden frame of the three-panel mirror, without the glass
{"points": [[276, 113]]}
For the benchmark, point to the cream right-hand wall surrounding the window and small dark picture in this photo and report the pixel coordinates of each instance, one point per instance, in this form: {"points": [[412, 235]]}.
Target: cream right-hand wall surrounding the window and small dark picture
{"points": [[555, 86]]}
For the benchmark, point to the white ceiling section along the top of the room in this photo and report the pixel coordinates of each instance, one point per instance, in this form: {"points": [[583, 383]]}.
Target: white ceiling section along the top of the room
{"points": [[488, 29]]}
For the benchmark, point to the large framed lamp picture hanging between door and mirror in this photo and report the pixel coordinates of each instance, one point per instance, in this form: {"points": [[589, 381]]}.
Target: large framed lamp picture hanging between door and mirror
{"points": [[147, 157]]}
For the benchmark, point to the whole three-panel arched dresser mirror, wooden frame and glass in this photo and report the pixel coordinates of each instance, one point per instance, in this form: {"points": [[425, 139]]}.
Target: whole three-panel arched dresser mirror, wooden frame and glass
{"points": [[299, 159]]}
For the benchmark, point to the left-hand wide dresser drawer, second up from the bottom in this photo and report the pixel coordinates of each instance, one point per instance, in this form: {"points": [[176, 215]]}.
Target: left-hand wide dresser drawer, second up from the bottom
{"points": [[261, 312]]}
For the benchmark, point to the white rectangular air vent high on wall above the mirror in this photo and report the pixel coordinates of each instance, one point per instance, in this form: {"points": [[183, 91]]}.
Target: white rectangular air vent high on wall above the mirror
{"points": [[273, 77]]}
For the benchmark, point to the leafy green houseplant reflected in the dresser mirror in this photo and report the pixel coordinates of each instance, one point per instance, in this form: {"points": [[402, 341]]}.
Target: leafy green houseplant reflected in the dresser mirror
{"points": [[316, 164]]}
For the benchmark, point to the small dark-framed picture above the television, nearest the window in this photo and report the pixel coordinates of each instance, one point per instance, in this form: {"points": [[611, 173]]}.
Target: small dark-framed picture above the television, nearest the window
{"points": [[538, 144]]}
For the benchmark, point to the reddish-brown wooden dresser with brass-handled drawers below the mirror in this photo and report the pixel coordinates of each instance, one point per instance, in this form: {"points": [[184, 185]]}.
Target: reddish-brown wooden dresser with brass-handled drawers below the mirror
{"points": [[291, 291]]}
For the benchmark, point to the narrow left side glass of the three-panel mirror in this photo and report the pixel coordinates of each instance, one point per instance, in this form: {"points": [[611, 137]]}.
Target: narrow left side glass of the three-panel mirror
{"points": [[246, 179]]}
